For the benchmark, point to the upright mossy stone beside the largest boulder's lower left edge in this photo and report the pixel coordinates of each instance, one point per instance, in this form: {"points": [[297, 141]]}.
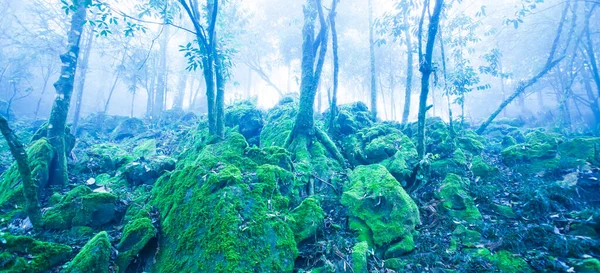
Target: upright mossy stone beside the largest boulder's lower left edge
{"points": [[135, 237]]}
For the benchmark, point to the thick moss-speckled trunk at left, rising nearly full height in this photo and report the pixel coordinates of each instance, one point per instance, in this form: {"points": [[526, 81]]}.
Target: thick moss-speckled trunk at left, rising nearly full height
{"points": [[64, 90]]}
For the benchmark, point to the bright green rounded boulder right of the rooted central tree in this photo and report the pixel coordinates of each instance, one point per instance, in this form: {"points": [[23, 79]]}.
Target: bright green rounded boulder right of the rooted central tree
{"points": [[377, 201]]}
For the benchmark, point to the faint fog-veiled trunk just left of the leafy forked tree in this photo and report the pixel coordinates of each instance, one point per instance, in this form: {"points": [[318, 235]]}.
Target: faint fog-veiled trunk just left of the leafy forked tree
{"points": [[161, 83]]}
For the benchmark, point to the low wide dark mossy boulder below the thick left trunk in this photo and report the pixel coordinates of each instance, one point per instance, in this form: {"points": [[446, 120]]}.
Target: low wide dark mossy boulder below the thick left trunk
{"points": [[81, 207]]}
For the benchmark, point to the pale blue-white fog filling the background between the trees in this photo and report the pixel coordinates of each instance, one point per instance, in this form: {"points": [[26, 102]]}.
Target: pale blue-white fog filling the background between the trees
{"points": [[263, 39]]}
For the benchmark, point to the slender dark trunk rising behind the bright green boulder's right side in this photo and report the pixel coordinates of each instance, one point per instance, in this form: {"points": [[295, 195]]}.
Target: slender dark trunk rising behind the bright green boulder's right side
{"points": [[426, 70]]}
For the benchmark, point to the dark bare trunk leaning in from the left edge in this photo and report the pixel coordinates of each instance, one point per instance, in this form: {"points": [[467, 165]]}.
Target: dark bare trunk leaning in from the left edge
{"points": [[30, 189]]}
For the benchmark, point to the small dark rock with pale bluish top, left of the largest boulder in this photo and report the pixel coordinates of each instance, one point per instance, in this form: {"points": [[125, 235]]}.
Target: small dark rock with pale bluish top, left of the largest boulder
{"points": [[147, 171]]}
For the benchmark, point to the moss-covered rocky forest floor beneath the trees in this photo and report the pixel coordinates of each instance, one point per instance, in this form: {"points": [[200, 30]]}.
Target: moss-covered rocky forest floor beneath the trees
{"points": [[165, 196]]}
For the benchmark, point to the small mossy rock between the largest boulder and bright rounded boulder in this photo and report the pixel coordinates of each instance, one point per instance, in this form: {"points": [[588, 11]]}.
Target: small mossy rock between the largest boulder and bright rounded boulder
{"points": [[309, 218]]}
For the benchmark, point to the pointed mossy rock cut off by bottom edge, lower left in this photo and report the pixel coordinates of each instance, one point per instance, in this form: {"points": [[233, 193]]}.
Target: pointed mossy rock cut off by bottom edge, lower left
{"points": [[94, 257]]}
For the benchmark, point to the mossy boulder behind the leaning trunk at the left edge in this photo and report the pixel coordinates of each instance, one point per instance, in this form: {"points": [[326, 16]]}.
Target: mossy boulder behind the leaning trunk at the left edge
{"points": [[40, 155]]}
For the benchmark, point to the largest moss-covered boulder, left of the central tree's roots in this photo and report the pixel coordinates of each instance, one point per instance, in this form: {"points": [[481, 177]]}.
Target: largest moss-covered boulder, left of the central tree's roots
{"points": [[239, 224]]}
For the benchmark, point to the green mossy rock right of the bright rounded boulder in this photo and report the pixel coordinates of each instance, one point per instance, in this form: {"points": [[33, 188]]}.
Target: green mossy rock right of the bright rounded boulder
{"points": [[456, 201]]}
